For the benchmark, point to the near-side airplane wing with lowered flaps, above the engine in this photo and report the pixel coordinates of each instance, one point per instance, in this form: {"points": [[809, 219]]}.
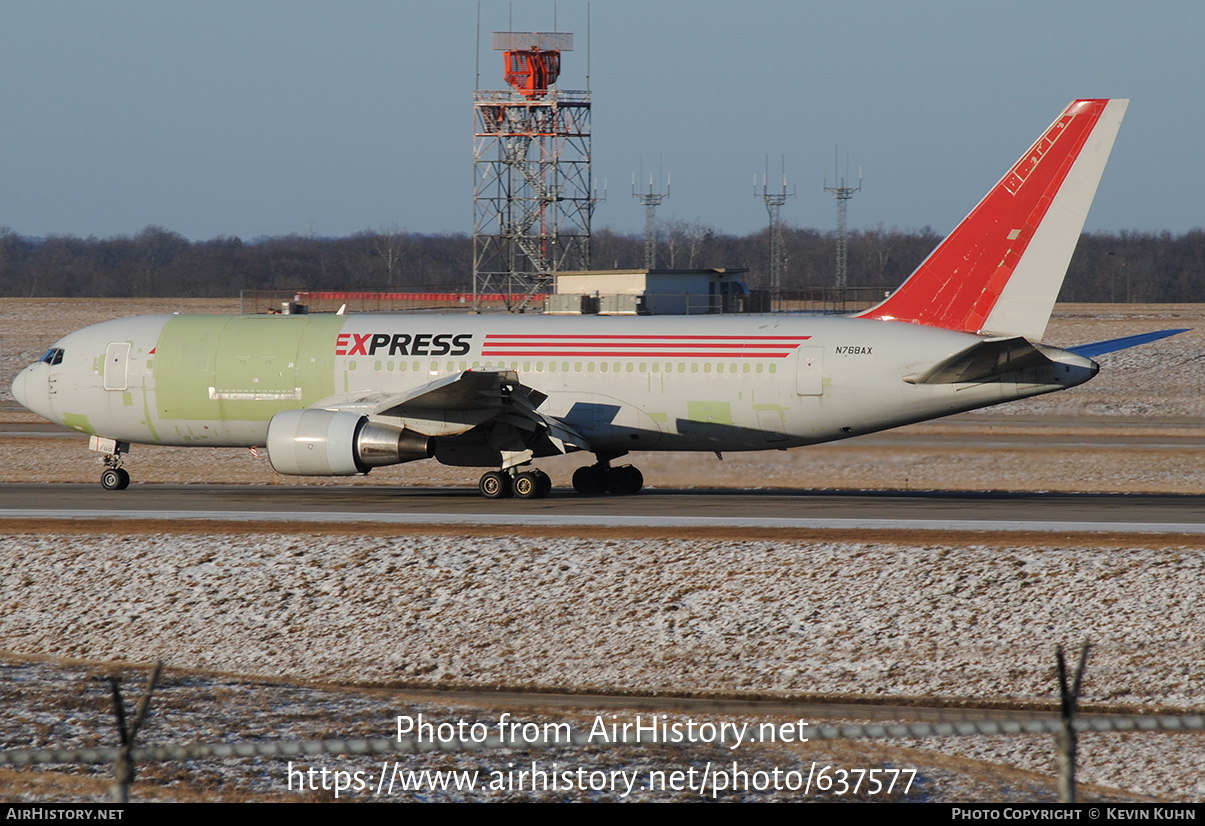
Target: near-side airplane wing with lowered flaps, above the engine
{"points": [[484, 401]]}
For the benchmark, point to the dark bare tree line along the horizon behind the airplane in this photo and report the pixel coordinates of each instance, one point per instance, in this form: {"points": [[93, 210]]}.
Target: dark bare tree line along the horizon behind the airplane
{"points": [[1108, 267]]}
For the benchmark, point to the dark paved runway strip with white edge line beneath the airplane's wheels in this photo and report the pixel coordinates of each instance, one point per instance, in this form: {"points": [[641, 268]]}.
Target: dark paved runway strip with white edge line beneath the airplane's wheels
{"points": [[654, 508]]}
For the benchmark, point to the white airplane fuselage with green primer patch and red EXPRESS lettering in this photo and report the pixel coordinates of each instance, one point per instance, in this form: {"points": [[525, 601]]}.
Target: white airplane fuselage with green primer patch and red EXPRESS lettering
{"points": [[626, 384]]}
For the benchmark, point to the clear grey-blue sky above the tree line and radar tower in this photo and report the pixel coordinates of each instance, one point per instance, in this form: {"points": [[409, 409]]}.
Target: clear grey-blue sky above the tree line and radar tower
{"points": [[269, 118]]}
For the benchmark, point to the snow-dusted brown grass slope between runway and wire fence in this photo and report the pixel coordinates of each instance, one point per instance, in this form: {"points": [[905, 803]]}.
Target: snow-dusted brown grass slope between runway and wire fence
{"points": [[757, 618]]}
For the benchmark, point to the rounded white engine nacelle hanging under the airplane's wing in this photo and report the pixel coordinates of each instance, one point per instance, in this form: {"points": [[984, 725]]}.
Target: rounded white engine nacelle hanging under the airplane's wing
{"points": [[332, 443]]}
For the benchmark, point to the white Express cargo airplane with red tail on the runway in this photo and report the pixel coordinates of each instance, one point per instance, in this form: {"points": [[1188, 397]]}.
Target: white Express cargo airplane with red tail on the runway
{"points": [[340, 395]]}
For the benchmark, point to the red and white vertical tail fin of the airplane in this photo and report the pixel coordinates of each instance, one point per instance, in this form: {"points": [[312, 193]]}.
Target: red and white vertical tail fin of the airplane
{"points": [[1002, 268]]}
